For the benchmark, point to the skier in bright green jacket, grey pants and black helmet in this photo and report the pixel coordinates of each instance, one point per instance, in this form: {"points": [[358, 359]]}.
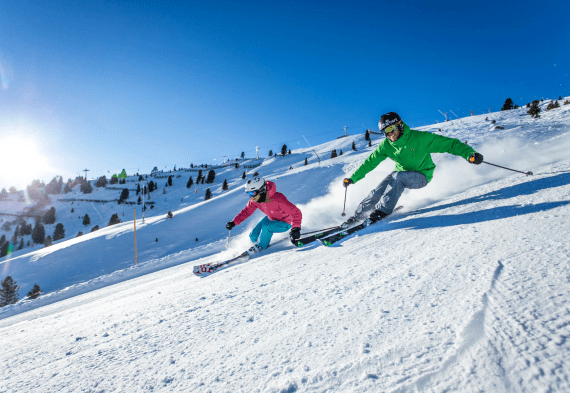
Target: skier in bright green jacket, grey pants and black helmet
{"points": [[411, 151]]}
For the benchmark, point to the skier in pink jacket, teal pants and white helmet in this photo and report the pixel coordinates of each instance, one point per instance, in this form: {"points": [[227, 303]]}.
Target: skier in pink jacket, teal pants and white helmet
{"points": [[281, 214]]}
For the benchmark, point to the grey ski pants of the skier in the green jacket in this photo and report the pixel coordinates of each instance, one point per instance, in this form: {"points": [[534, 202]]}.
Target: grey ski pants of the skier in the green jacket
{"points": [[386, 195]]}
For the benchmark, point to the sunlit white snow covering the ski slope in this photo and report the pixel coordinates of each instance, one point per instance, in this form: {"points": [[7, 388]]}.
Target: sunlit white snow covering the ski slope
{"points": [[466, 289]]}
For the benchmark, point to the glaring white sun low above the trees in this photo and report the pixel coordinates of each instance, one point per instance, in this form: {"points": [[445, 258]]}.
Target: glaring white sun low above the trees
{"points": [[21, 161]]}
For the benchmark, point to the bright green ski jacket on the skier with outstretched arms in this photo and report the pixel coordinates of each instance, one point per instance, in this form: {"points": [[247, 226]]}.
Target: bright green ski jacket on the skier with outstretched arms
{"points": [[412, 152]]}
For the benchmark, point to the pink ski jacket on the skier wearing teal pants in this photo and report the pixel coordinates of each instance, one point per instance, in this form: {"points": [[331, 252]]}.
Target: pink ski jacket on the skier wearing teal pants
{"points": [[276, 207]]}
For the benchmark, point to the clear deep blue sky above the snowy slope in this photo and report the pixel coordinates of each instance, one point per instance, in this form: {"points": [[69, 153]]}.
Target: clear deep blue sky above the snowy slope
{"points": [[107, 85]]}
